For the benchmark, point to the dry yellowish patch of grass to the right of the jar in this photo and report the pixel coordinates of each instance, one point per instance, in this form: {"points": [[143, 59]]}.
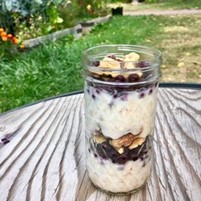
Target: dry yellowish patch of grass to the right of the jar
{"points": [[180, 42]]}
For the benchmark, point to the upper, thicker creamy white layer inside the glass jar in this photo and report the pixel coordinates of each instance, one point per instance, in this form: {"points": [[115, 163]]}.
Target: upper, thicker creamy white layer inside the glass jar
{"points": [[118, 116]]}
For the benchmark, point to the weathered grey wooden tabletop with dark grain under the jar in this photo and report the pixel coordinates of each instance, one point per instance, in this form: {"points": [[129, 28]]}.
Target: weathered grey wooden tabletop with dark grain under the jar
{"points": [[42, 150]]}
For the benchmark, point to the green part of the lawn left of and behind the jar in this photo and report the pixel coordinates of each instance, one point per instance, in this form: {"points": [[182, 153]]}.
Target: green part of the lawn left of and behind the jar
{"points": [[55, 68]]}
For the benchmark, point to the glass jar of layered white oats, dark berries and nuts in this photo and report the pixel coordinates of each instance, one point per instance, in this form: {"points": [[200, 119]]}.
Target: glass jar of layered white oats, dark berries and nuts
{"points": [[121, 84]]}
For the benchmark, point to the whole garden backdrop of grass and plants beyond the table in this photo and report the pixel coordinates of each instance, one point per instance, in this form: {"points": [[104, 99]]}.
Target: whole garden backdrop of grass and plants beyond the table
{"points": [[54, 68]]}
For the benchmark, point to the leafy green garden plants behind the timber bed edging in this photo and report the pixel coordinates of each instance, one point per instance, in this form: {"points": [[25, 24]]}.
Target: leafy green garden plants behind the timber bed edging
{"points": [[32, 18]]}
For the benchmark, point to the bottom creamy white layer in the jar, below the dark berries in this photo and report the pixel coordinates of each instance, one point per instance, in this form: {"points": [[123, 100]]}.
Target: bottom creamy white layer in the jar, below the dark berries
{"points": [[118, 178]]}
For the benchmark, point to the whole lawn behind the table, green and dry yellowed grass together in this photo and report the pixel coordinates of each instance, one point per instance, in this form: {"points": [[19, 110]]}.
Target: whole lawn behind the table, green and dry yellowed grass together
{"points": [[55, 68]]}
